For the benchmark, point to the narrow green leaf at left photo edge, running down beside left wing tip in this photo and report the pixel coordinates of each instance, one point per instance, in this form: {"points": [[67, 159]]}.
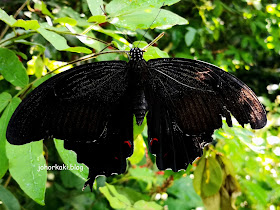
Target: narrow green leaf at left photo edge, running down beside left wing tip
{"points": [[4, 120]]}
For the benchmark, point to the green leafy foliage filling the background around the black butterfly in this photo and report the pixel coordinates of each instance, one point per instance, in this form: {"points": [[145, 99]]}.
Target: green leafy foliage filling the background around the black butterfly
{"points": [[240, 171]]}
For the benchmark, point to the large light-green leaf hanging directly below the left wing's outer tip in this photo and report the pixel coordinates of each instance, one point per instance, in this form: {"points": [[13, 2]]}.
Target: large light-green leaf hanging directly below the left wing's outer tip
{"points": [[25, 165]]}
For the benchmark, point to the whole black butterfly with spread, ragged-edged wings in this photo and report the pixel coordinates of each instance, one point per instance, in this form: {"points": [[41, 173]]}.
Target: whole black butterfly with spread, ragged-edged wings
{"points": [[91, 107]]}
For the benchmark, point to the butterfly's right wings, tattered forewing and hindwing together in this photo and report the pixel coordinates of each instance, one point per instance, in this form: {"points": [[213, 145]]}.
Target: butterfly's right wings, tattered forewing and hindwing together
{"points": [[187, 100]]}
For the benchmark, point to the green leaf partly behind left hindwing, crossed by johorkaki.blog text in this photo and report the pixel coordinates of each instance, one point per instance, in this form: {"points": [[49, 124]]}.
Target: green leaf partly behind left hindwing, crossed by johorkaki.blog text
{"points": [[70, 159]]}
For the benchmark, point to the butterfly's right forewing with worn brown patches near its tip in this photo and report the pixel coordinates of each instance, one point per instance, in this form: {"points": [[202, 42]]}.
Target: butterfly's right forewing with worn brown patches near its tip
{"points": [[224, 93]]}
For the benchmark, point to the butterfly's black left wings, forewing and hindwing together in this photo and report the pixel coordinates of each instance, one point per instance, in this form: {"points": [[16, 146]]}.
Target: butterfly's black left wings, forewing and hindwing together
{"points": [[88, 104]]}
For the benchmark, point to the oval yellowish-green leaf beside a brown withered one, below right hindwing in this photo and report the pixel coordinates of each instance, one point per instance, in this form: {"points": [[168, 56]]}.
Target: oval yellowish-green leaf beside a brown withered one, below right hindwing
{"points": [[208, 177]]}
